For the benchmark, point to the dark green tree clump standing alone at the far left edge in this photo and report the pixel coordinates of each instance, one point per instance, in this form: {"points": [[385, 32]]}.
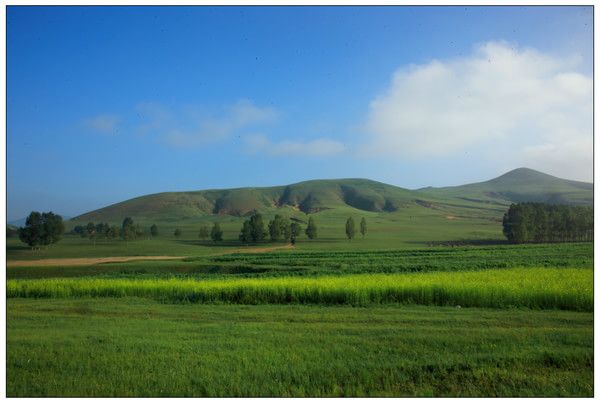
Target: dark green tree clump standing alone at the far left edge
{"points": [[42, 229]]}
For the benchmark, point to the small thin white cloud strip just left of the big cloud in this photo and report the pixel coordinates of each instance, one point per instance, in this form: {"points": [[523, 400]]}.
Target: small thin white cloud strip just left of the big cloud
{"points": [[318, 147]]}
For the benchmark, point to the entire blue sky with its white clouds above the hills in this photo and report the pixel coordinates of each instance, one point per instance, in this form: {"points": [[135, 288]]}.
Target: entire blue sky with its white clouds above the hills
{"points": [[109, 103]]}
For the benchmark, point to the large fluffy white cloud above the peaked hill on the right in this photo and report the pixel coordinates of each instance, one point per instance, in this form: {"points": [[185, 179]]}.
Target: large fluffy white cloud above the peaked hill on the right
{"points": [[531, 104]]}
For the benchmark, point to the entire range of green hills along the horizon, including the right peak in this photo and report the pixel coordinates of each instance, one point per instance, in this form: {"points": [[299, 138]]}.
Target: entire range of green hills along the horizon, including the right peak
{"points": [[330, 194]]}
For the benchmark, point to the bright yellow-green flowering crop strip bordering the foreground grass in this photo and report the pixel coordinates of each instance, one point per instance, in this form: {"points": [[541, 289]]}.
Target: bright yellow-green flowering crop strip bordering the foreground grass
{"points": [[540, 288]]}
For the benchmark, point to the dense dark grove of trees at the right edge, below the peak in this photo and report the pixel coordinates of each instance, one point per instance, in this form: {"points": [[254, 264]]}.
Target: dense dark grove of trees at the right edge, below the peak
{"points": [[539, 222]]}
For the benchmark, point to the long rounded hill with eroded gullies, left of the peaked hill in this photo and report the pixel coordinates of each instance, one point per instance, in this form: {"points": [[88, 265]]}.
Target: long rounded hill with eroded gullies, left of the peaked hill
{"points": [[306, 197]]}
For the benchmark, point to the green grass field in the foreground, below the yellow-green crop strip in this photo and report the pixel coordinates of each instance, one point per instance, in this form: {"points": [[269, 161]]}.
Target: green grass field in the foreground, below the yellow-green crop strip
{"points": [[139, 347]]}
